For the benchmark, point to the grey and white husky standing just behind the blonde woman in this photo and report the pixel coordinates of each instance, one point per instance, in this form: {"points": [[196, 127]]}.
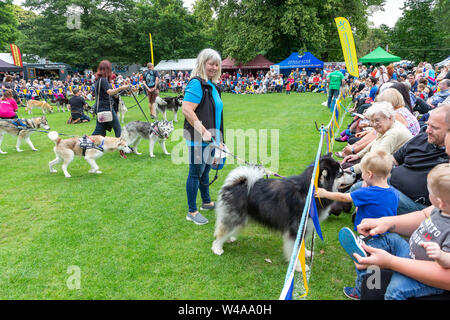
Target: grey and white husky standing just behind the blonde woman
{"points": [[159, 131]]}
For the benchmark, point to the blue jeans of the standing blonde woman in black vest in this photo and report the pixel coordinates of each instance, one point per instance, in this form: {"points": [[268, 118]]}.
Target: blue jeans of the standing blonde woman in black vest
{"points": [[198, 178]]}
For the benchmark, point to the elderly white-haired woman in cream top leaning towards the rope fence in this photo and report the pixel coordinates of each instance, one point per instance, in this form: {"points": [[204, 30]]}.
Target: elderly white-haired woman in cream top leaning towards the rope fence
{"points": [[391, 134]]}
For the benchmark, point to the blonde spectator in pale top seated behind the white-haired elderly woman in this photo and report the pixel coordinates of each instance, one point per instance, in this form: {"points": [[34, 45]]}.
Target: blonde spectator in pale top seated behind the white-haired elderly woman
{"points": [[402, 114]]}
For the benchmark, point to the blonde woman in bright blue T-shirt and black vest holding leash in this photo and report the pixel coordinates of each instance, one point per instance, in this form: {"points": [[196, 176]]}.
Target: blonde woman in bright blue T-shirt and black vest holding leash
{"points": [[202, 108]]}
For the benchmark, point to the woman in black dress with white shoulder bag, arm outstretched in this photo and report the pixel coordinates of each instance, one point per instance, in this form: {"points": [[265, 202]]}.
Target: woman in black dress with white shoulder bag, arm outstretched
{"points": [[106, 115]]}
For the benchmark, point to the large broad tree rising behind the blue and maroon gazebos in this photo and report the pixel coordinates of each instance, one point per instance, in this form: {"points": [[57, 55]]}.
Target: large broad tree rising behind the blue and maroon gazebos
{"points": [[277, 28]]}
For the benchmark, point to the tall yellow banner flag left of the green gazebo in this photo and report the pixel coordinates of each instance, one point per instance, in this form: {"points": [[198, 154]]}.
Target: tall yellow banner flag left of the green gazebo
{"points": [[348, 45]]}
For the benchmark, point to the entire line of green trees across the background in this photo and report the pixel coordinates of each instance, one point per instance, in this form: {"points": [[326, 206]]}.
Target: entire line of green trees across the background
{"points": [[81, 33]]}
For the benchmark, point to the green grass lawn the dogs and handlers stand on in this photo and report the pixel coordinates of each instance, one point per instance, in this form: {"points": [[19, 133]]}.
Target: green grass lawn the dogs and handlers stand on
{"points": [[125, 229]]}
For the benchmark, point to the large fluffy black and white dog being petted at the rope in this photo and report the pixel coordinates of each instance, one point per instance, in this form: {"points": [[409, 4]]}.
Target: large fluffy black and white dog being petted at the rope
{"points": [[275, 203]]}
